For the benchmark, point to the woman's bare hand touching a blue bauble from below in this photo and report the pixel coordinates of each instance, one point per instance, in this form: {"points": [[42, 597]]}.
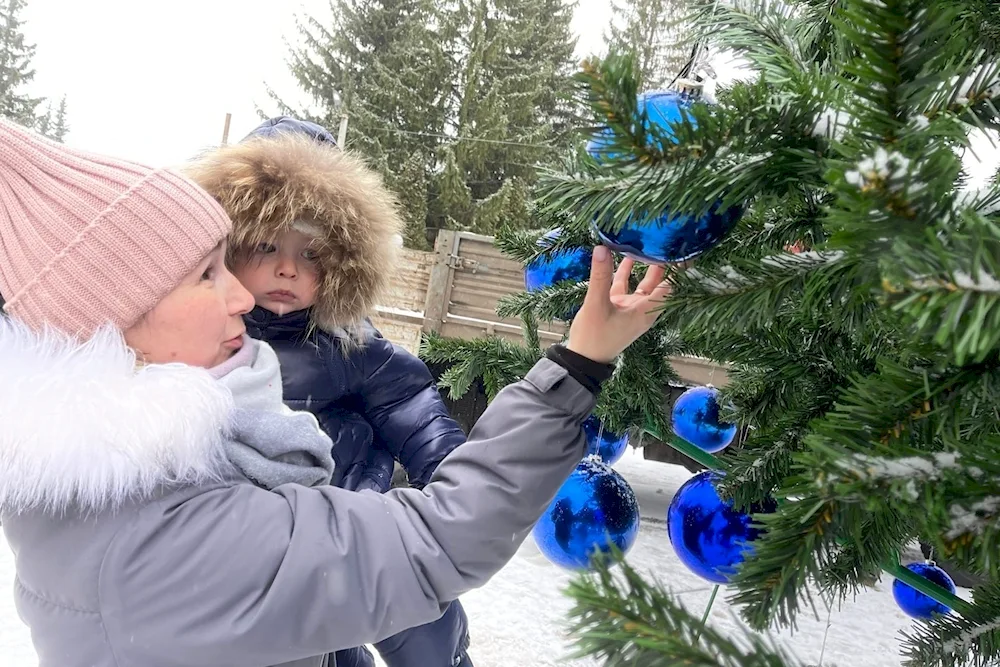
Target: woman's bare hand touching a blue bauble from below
{"points": [[611, 319]]}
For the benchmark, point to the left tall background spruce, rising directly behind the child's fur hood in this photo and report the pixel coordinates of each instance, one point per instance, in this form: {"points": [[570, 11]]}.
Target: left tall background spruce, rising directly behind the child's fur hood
{"points": [[384, 64]]}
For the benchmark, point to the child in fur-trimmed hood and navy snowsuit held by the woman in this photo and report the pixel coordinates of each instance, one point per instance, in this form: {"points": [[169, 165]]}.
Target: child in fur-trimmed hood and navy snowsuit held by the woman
{"points": [[312, 240]]}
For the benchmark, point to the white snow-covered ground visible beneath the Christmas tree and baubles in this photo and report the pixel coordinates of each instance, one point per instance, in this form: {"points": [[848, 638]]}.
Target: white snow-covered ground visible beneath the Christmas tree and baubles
{"points": [[518, 618]]}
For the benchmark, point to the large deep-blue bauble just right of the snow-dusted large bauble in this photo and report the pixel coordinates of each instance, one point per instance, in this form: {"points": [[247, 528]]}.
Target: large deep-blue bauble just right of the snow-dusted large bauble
{"points": [[709, 536]]}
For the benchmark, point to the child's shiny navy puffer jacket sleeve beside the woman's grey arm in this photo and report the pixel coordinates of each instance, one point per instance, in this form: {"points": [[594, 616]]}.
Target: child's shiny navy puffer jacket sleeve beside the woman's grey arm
{"points": [[396, 392]]}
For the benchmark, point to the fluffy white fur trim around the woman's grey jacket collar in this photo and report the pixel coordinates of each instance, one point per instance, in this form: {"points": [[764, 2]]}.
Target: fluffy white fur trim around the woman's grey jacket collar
{"points": [[79, 425]]}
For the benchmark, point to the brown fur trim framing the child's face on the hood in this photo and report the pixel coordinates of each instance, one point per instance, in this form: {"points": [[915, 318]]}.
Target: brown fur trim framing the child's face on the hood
{"points": [[267, 184]]}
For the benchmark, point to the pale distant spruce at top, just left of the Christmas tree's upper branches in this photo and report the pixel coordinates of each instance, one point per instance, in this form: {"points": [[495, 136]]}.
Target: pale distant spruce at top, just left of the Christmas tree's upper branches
{"points": [[655, 34]]}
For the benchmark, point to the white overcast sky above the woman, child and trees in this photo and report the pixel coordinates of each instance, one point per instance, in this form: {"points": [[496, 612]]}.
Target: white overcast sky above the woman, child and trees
{"points": [[152, 81]]}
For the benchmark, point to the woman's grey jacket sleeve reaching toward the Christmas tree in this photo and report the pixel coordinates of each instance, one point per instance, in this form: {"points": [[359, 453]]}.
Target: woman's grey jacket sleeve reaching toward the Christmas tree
{"points": [[240, 575]]}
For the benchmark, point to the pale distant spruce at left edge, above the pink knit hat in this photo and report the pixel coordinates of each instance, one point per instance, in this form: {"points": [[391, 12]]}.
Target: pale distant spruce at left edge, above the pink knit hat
{"points": [[15, 66]]}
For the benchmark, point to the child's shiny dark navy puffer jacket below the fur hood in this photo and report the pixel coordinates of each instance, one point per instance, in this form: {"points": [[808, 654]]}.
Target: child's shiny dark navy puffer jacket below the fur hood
{"points": [[378, 402]]}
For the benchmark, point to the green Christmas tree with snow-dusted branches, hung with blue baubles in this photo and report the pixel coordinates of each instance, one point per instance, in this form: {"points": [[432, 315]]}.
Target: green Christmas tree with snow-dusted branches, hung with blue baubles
{"points": [[856, 301]]}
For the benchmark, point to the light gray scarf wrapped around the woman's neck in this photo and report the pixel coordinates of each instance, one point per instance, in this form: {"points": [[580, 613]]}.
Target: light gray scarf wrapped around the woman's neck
{"points": [[271, 444]]}
